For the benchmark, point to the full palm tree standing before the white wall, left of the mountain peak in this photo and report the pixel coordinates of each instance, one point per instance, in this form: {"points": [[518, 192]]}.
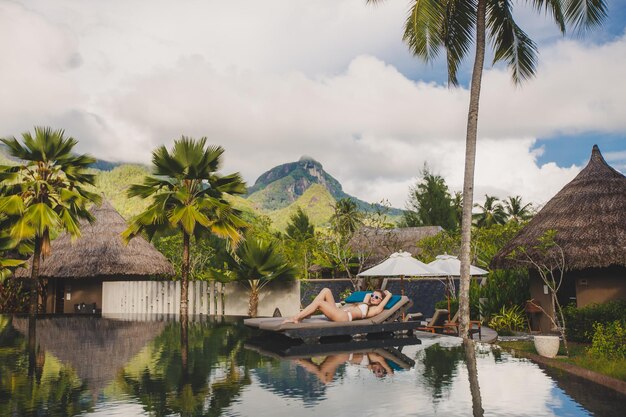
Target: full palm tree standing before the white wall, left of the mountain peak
{"points": [[188, 196]]}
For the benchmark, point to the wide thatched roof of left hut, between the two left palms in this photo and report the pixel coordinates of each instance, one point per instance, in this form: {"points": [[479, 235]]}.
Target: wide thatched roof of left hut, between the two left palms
{"points": [[100, 252]]}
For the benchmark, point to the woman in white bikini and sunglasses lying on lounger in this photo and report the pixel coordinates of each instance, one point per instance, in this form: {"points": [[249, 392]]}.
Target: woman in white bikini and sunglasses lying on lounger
{"points": [[372, 305]]}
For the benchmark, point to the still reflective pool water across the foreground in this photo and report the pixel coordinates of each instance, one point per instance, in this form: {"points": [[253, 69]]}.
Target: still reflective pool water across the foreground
{"points": [[216, 367]]}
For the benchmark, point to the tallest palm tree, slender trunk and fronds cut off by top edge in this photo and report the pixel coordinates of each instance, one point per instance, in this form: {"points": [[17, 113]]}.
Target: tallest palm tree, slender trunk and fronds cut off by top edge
{"points": [[433, 25]]}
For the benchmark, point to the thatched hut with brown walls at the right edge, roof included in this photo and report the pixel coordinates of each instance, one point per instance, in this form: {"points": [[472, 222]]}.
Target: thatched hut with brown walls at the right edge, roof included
{"points": [[589, 217]]}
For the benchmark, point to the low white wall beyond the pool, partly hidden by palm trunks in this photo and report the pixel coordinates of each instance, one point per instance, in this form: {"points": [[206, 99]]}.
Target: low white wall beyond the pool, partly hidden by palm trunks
{"points": [[163, 298]]}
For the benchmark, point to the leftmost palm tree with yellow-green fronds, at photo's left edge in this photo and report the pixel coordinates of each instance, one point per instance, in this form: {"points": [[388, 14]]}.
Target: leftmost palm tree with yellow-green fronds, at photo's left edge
{"points": [[45, 192]]}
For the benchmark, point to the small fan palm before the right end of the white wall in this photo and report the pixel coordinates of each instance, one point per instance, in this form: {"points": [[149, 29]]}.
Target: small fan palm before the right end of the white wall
{"points": [[256, 263]]}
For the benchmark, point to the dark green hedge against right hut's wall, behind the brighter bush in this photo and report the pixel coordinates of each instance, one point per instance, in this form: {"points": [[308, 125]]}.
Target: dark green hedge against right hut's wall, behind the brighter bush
{"points": [[580, 321]]}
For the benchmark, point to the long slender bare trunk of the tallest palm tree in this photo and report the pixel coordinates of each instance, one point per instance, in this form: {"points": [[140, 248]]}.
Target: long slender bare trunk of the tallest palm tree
{"points": [[470, 161]]}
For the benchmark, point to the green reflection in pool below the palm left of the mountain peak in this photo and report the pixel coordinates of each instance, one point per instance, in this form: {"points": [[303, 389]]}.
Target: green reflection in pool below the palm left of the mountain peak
{"points": [[198, 375]]}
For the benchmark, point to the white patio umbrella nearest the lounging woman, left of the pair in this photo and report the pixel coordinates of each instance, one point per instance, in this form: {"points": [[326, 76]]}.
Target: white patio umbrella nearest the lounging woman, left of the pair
{"points": [[400, 264]]}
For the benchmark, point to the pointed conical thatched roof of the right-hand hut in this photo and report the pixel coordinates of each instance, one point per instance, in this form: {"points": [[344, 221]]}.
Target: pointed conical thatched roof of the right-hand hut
{"points": [[589, 215]]}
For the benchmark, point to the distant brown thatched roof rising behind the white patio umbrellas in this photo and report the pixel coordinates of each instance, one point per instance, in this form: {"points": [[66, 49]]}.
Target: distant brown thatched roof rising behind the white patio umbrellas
{"points": [[383, 242]]}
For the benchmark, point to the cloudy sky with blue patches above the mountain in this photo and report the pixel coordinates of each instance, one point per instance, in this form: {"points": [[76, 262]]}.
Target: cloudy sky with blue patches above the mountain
{"points": [[273, 80]]}
